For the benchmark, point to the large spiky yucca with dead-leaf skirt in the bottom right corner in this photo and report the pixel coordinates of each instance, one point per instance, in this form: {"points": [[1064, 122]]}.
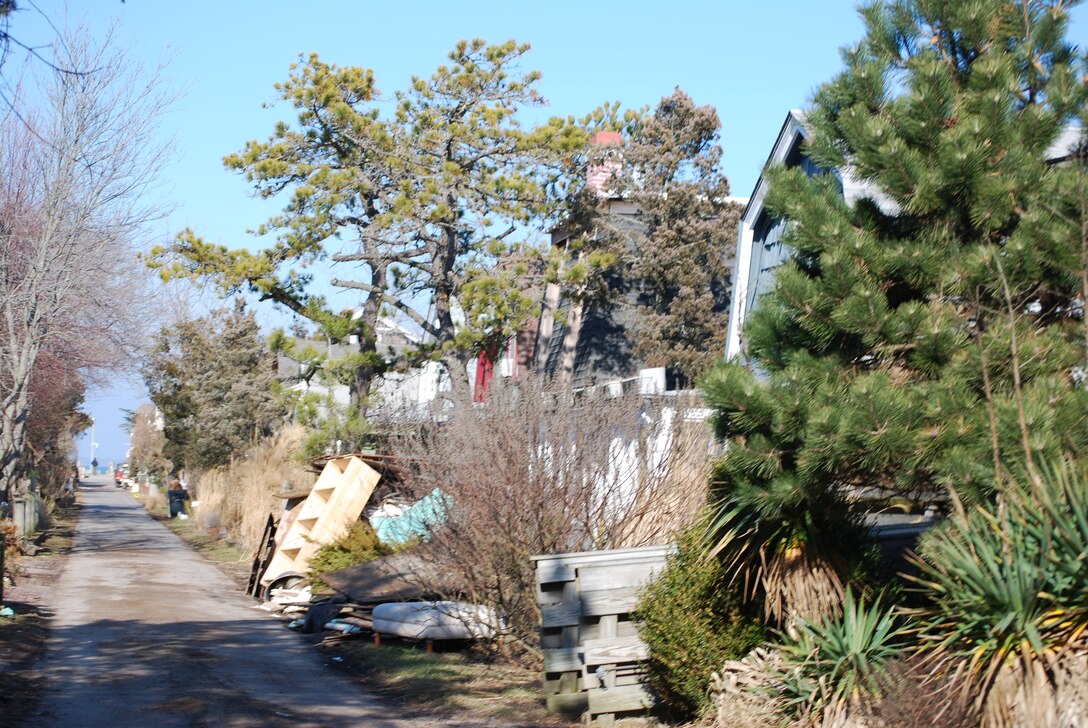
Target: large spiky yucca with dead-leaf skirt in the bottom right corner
{"points": [[1008, 599]]}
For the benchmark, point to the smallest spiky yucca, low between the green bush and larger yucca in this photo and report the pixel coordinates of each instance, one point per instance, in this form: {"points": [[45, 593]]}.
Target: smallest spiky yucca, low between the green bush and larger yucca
{"points": [[840, 663]]}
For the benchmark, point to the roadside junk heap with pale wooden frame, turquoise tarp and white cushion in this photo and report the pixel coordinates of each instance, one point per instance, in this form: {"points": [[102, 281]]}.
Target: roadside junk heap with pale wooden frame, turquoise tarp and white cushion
{"points": [[399, 595]]}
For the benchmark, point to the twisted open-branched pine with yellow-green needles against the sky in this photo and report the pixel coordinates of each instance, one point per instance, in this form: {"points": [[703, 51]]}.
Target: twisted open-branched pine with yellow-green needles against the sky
{"points": [[411, 203]]}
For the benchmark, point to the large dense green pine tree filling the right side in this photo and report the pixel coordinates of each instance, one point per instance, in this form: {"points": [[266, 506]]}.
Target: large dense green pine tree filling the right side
{"points": [[932, 338]]}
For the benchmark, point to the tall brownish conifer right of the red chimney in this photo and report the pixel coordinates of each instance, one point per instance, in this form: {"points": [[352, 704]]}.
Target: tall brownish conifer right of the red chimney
{"points": [[684, 253]]}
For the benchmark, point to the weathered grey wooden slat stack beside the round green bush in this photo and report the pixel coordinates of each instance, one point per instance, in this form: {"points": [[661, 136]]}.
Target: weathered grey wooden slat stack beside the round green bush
{"points": [[592, 652]]}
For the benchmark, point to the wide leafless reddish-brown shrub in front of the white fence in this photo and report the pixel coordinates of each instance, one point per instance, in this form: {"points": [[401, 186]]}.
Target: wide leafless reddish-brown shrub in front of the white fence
{"points": [[538, 472]]}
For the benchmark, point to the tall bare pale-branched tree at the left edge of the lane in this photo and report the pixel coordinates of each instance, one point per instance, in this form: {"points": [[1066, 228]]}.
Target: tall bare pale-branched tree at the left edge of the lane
{"points": [[76, 170]]}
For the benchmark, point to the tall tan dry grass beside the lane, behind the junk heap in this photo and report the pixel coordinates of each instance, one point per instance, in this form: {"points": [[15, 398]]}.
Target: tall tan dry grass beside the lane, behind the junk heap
{"points": [[241, 497]]}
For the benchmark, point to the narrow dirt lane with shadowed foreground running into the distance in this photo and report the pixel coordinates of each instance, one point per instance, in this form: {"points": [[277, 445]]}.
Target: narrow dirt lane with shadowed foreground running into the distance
{"points": [[149, 634]]}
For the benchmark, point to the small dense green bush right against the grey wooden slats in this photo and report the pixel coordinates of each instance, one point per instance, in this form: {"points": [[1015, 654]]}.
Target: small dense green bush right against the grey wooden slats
{"points": [[694, 621]]}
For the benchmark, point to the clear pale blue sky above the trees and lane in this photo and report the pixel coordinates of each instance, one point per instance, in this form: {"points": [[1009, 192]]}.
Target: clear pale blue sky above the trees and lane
{"points": [[753, 61]]}
